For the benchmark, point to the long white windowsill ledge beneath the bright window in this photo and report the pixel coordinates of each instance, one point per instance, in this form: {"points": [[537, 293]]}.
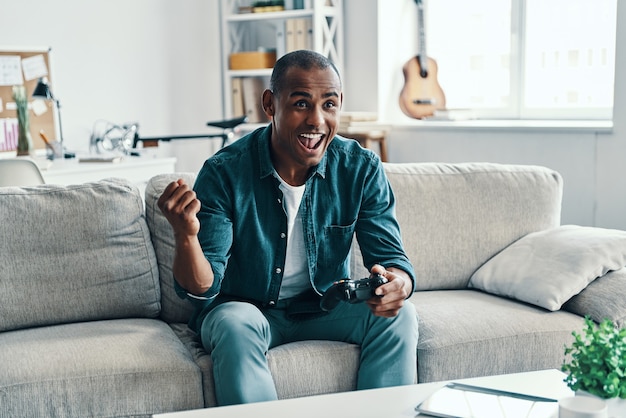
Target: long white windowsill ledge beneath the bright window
{"points": [[599, 126]]}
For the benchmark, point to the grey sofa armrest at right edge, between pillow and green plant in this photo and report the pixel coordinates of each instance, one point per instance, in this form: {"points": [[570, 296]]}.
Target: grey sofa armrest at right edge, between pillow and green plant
{"points": [[605, 297]]}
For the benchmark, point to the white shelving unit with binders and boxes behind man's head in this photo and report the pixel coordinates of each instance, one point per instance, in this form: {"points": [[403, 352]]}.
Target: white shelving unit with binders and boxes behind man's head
{"points": [[242, 32]]}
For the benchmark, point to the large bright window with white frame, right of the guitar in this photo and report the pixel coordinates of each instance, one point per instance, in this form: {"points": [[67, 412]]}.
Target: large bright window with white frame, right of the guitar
{"points": [[526, 59]]}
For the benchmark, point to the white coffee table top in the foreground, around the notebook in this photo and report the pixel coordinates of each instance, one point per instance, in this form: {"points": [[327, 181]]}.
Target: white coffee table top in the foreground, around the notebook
{"points": [[392, 402]]}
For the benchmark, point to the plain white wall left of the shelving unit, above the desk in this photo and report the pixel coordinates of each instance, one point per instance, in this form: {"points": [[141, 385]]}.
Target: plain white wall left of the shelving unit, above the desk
{"points": [[151, 61]]}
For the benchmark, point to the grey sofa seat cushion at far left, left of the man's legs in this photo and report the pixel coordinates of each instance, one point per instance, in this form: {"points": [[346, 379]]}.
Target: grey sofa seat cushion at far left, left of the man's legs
{"points": [[116, 368]]}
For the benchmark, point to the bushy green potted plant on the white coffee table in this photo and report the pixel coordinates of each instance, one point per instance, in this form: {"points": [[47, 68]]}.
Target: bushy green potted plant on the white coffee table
{"points": [[597, 364]]}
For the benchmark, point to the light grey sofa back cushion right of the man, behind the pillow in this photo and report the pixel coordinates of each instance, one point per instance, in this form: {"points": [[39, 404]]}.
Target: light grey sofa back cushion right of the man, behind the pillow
{"points": [[455, 217]]}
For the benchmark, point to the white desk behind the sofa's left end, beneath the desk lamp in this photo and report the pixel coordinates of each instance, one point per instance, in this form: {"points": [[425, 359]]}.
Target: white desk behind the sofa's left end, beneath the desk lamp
{"points": [[136, 169]]}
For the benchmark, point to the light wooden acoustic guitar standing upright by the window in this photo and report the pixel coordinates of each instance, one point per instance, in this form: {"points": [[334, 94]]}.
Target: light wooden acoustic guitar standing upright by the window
{"points": [[421, 94]]}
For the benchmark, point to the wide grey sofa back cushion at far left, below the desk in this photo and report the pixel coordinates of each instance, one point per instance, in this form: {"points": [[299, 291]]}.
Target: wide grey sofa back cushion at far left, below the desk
{"points": [[75, 253]]}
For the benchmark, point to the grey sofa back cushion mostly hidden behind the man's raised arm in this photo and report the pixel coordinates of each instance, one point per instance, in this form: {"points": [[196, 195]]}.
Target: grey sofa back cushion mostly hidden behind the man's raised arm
{"points": [[173, 308]]}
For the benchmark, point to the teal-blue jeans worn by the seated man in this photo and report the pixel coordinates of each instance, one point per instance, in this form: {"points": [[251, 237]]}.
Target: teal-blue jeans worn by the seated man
{"points": [[238, 336]]}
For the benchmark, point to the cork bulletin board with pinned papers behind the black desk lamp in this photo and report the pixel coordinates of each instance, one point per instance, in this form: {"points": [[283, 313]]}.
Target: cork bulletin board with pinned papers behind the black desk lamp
{"points": [[25, 67]]}
